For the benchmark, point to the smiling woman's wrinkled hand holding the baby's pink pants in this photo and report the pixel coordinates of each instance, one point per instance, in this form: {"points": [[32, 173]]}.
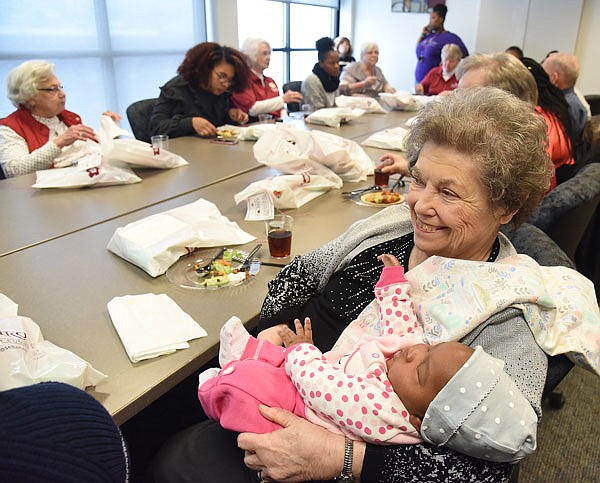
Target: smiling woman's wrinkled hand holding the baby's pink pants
{"points": [[301, 451]]}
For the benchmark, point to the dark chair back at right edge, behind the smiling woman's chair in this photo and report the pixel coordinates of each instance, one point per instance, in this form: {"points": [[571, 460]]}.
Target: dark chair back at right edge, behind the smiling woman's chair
{"points": [[566, 211]]}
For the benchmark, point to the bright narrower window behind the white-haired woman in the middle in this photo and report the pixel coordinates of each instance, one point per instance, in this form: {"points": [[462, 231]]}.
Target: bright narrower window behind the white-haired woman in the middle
{"points": [[291, 28]]}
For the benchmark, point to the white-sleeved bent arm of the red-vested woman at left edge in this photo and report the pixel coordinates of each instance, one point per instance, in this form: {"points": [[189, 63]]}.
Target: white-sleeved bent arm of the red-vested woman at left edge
{"points": [[16, 159]]}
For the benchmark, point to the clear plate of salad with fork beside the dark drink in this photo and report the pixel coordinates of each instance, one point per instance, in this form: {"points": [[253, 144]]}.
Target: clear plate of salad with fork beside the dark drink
{"points": [[201, 270]]}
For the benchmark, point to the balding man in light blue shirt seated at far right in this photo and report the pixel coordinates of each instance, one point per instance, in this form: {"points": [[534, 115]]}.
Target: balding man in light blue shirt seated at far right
{"points": [[563, 70]]}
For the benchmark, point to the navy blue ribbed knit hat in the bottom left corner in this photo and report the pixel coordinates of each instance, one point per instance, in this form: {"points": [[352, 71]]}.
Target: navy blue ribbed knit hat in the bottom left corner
{"points": [[53, 432]]}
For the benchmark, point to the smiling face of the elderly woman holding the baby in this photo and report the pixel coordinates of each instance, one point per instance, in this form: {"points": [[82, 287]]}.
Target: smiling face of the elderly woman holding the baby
{"points": [[450, 207]]}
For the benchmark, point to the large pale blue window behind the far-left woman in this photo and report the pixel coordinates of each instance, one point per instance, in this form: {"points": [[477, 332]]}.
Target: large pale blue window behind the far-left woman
{"points": [[108, 53]]}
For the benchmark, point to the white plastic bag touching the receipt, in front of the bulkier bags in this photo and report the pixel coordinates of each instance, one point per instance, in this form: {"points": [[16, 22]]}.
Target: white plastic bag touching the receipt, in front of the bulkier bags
{"points": [[288, 191]]}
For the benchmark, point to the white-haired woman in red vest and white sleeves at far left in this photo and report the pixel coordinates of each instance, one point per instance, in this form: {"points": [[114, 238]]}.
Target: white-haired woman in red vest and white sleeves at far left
{"points": [[40, 134]]}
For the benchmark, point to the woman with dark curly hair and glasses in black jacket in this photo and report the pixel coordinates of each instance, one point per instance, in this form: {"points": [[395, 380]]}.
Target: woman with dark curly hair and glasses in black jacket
{"points": [[198, 99]]}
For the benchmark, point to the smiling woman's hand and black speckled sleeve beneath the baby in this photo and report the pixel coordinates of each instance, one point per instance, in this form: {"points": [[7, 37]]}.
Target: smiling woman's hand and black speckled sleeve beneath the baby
{"points": [[303, 451]]}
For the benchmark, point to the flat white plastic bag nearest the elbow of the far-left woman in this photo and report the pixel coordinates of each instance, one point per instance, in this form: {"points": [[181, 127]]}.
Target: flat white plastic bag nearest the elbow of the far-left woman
{"points": [[90, 171]]}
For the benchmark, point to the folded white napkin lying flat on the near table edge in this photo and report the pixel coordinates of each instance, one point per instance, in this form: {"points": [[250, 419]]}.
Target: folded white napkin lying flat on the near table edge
{"points": [[151, 325]]}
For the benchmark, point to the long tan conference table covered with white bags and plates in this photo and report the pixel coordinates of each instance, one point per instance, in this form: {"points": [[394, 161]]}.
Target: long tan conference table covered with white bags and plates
{"points": [[57, 268]]}
